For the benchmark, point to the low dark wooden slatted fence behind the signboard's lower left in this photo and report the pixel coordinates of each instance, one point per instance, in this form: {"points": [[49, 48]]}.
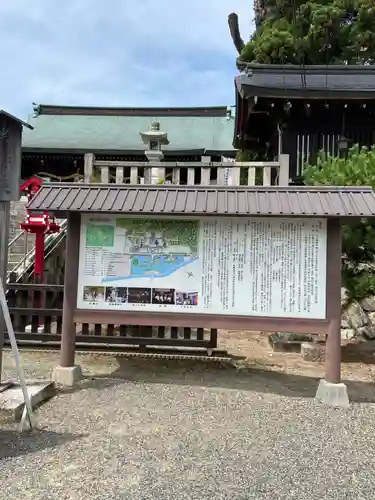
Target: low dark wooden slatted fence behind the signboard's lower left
{"points": [[36, 312]]}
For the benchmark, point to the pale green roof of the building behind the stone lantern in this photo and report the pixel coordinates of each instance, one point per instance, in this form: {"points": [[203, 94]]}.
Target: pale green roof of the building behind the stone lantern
{"points": [[96, 129]]}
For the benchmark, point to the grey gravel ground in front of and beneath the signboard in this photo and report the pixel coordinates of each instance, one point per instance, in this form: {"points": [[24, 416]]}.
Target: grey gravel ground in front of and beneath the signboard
{"points": [[183, 431]]}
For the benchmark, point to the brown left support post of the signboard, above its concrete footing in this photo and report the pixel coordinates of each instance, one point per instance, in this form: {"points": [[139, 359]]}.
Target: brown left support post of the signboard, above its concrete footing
{"points": [[68, 335]]}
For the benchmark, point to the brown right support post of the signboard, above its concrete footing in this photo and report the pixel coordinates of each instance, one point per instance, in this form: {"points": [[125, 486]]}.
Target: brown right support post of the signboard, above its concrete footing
{"points": [[333, 344]]}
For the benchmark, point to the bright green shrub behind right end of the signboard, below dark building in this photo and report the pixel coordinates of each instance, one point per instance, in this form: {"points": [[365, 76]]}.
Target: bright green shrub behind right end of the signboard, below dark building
{"points": [[358, 169]]}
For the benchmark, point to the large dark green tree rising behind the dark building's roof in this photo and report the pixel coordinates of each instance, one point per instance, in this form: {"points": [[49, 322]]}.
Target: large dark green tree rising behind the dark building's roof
{"points": [[313, 32]]}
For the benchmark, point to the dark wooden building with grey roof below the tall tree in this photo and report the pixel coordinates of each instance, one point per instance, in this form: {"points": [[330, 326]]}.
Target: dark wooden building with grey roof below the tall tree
{"points": [[303, 110]]}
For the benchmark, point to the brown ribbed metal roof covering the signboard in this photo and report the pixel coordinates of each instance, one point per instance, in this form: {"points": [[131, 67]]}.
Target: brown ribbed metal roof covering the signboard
{"points": [[291, 201]]}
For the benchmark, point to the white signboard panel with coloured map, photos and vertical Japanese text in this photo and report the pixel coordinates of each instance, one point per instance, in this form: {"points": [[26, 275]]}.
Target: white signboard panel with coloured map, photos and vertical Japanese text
{"points": [[243, 266]]}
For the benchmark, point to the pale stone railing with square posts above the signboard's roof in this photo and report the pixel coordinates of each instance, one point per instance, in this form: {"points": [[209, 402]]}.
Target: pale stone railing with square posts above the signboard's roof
{"points": [[191, 173]]}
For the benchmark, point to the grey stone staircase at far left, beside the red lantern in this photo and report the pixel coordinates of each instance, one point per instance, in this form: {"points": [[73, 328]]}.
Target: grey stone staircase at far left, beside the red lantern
{"points": [[25, 242]]}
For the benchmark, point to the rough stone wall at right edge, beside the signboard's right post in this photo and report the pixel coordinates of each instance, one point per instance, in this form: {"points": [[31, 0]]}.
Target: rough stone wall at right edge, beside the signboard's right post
{"points": [[358, 318]]}
